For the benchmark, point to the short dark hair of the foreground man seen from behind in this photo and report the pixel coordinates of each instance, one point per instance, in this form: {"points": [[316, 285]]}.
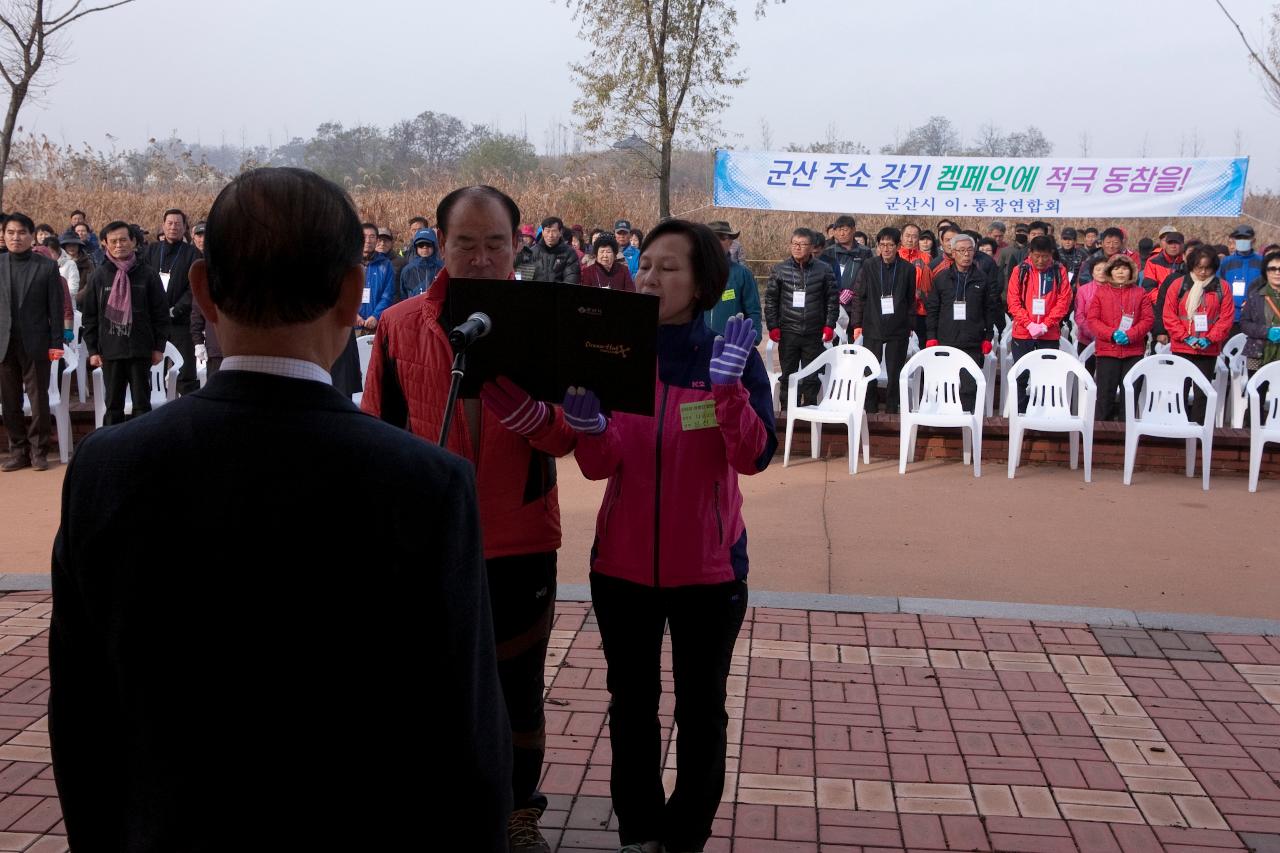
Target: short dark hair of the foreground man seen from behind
{"points": [[280, 244]]}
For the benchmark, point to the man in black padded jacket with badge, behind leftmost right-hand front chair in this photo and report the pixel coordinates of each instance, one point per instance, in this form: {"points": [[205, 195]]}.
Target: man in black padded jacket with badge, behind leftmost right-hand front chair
{"points": [[802, 305]]}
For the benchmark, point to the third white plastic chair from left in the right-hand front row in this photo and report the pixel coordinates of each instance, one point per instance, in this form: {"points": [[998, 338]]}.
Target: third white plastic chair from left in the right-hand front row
{"points": [[1054, 381]]}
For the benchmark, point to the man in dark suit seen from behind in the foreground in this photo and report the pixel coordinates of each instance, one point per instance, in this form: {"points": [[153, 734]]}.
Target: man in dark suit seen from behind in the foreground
{"points": [[344, 686]]}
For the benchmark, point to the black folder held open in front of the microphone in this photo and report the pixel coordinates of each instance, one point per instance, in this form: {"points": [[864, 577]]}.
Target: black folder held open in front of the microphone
{"points": [[547, 337]]}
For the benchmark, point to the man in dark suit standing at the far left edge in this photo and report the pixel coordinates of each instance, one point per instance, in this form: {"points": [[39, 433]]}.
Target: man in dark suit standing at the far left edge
{"points": [[31, 339]]}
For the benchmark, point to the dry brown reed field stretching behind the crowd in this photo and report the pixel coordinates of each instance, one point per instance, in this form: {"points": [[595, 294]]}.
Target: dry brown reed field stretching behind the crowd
{"points": [[591, 200]]}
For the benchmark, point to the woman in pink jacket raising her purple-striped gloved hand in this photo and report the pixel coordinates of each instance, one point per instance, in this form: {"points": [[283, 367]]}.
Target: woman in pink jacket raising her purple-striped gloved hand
{"points": [[670, 542]]}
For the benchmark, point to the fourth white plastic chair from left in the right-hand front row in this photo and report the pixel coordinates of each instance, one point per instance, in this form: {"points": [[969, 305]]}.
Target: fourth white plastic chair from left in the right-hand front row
{"points": [[1164, 410]]}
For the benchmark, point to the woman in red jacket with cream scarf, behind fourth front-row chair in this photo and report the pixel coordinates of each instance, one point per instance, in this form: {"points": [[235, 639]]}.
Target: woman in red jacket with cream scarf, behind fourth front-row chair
{"points": [[1199, 317]]}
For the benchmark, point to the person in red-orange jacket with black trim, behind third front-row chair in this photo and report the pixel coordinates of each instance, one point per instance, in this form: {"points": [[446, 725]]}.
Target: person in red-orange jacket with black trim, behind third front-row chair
{"points": [[1040, 298]]}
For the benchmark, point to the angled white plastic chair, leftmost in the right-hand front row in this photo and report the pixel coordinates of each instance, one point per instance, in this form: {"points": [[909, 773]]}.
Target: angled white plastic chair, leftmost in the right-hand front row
{"points": [[851, 371]]}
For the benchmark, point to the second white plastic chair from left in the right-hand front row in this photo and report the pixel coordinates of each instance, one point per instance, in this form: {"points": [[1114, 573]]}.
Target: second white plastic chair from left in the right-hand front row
{"points": [[940, 402]]}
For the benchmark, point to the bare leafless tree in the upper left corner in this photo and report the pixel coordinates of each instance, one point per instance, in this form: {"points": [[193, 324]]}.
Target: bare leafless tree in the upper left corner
{"points": [[29, 42]]}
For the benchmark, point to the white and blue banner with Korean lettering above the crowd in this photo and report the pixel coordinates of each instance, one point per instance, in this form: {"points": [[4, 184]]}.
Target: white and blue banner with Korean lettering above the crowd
{"points": [[988, 188]]}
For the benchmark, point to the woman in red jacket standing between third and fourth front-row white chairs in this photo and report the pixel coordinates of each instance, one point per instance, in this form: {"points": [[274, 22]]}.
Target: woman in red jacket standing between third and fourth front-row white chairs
{"points": [[1121, 317]]}
